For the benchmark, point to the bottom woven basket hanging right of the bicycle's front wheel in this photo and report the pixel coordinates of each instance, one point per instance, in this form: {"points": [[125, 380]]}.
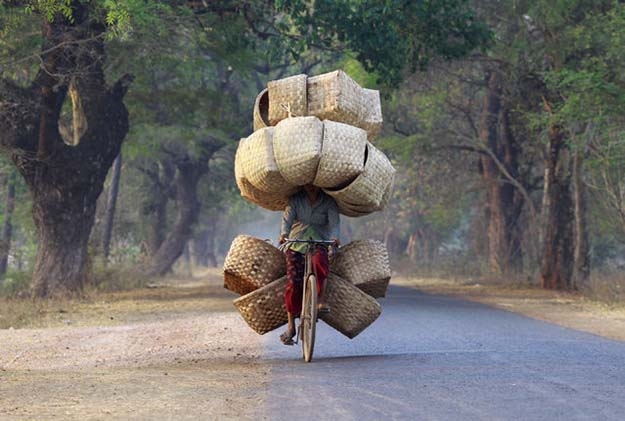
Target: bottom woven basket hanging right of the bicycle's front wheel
{"points": [[352, 311]]}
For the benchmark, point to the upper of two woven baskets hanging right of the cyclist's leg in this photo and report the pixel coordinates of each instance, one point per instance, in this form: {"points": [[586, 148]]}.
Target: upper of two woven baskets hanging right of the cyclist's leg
{"points": [[365, 264]]}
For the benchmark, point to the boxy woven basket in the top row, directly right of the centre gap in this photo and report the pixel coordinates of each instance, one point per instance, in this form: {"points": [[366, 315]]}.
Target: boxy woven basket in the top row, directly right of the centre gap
{"points": [[335, 96]]}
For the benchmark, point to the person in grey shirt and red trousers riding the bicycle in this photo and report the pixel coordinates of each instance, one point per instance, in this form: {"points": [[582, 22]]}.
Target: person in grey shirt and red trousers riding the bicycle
{"points": [[310, 215]]}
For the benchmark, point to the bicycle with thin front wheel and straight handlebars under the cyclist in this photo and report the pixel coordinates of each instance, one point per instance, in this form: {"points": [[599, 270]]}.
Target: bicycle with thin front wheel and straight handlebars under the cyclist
{"points": [[308, 316]]}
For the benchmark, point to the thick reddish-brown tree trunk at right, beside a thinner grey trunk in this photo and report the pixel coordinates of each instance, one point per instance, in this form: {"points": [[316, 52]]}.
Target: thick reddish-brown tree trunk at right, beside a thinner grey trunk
{"points": [[558, 238]]}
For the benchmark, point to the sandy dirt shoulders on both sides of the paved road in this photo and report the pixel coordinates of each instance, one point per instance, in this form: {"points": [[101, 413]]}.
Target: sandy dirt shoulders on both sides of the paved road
{"points": [[181, 351]]}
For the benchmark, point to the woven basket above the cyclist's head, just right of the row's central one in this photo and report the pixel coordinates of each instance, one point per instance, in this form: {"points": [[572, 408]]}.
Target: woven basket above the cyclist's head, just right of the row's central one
{"points": [[342, 155]]}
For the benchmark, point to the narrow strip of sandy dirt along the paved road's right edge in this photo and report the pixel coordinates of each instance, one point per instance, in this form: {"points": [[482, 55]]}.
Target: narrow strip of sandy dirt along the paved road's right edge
{"points": [[566, 309]]}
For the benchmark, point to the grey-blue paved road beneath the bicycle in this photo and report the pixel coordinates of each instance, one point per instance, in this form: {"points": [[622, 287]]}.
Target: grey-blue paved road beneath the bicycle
{"points": [[437, 358]]}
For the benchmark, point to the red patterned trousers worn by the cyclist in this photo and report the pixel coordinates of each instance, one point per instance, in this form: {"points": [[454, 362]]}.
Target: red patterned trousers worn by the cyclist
{"points": [[295, 265]]}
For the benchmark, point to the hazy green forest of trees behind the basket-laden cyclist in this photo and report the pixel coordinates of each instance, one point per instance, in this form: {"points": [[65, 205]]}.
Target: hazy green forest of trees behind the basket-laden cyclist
{"points": [[119, 121]]}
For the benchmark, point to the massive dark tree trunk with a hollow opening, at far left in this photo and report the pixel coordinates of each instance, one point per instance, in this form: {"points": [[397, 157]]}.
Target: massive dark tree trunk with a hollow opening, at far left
{"points": [[65, 180]]}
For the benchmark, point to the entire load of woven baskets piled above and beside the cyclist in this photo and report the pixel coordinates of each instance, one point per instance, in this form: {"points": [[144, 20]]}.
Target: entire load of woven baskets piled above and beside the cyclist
{"points": [[313, 130]]}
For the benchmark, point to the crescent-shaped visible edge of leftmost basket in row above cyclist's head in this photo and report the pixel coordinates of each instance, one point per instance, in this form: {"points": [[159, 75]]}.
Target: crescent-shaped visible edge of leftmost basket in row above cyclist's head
{"points": [[271, 201]]}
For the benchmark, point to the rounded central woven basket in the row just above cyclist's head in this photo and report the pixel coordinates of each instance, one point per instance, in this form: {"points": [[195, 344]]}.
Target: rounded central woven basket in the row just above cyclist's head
{"points": [[297, 148]]}
